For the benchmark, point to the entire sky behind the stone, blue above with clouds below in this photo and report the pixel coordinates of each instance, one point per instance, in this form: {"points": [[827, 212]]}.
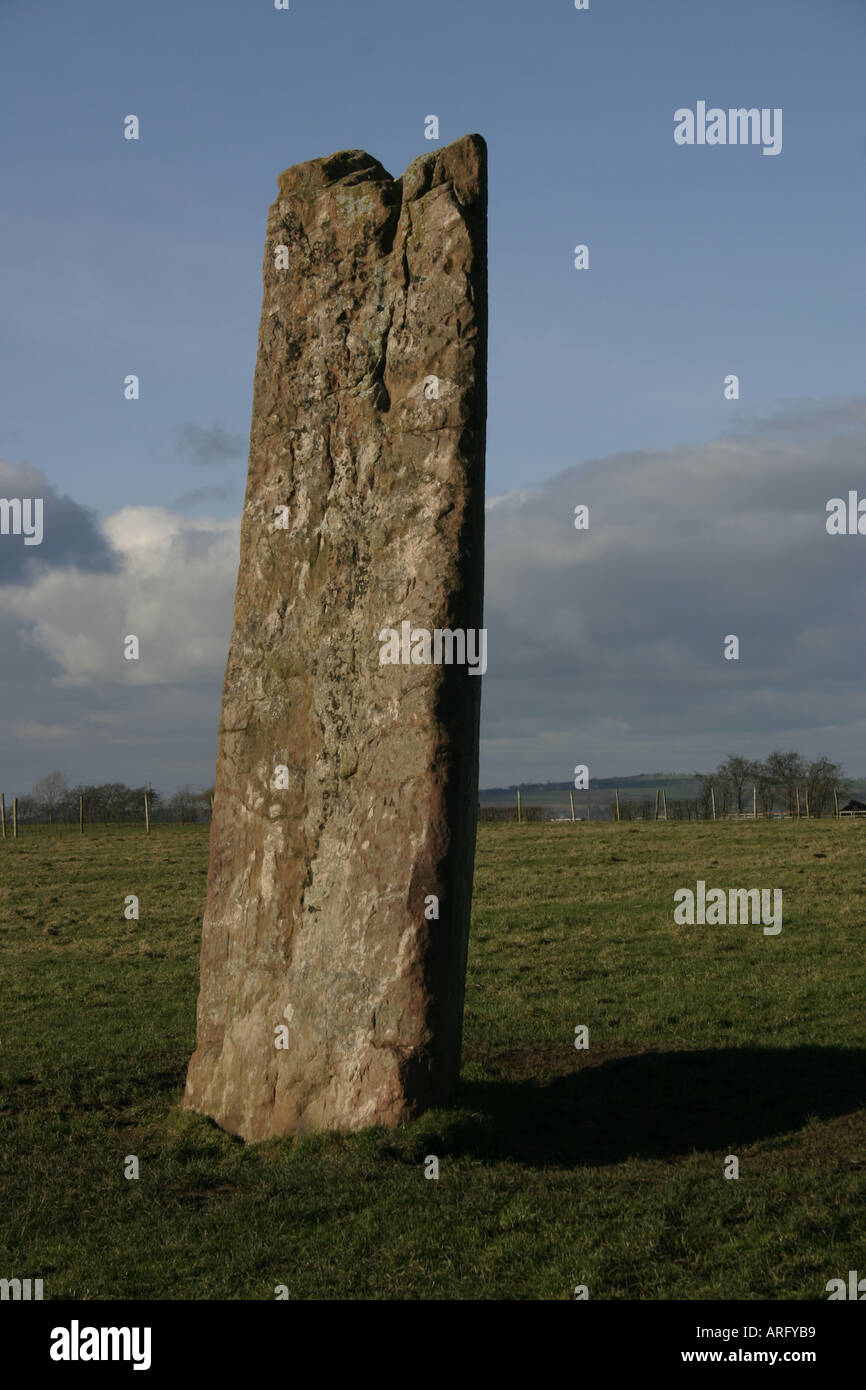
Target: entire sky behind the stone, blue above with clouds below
{"points": [[607, 386]]}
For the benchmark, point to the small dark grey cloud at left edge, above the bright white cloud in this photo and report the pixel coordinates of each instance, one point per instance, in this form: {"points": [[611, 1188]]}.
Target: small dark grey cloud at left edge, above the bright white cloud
{"points": [[72, 534]]}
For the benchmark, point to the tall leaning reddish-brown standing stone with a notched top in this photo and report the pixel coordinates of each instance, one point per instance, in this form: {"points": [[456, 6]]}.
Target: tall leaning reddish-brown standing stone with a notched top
{"points": [[344, 833]]}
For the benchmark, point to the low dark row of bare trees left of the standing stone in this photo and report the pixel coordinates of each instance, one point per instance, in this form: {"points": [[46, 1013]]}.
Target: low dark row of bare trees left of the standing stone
{"points": [[55, 803]]}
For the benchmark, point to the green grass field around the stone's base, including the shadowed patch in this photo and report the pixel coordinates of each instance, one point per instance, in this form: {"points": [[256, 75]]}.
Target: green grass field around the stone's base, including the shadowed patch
{"points": [[558, 1167]]}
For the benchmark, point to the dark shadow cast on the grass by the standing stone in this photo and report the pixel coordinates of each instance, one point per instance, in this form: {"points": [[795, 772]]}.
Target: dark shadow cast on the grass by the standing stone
{"points": [[660, 1104]]}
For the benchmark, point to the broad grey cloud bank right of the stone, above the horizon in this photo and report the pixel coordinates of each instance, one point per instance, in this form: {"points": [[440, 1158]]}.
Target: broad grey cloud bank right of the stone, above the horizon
{"points": [[607, 646]]}
